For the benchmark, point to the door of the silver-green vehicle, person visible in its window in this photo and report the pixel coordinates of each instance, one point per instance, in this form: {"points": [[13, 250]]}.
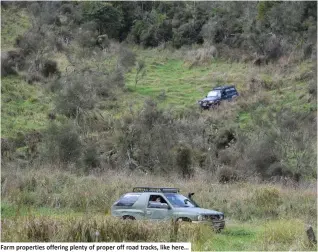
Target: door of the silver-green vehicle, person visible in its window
{"points": [[157, 208]]}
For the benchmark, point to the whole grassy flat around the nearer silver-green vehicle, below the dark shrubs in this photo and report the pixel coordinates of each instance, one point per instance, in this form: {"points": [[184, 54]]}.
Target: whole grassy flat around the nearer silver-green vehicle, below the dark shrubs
{"points": [[57, 203]]}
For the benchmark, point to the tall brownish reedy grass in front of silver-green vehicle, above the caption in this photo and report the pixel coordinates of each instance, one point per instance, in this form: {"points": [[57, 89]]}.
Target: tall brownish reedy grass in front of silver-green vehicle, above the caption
{"points": [[98, 229]]}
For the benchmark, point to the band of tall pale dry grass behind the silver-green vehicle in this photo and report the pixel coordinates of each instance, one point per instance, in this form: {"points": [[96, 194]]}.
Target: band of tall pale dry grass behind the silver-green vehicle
{"points": [[242, 201]]}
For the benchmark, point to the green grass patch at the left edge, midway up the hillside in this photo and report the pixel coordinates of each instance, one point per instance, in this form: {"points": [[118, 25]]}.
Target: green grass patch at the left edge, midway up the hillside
{"points": [[24, 107]]}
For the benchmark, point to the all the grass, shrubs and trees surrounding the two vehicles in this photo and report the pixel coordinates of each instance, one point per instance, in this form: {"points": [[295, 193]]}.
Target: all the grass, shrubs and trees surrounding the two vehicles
{"points": [[98, 97]]}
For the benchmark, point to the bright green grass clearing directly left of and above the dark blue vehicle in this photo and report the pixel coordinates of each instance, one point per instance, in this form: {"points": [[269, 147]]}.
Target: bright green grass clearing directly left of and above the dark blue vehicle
{"points": [[183, 86]]}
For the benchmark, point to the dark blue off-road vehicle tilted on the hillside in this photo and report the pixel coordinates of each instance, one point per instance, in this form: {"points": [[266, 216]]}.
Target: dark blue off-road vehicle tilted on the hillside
{"points": [[217, 95]]}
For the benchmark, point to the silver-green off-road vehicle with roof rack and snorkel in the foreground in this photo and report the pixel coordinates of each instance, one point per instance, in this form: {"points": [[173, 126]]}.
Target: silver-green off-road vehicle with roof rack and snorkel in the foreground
{"points": [[164, 204]]}
